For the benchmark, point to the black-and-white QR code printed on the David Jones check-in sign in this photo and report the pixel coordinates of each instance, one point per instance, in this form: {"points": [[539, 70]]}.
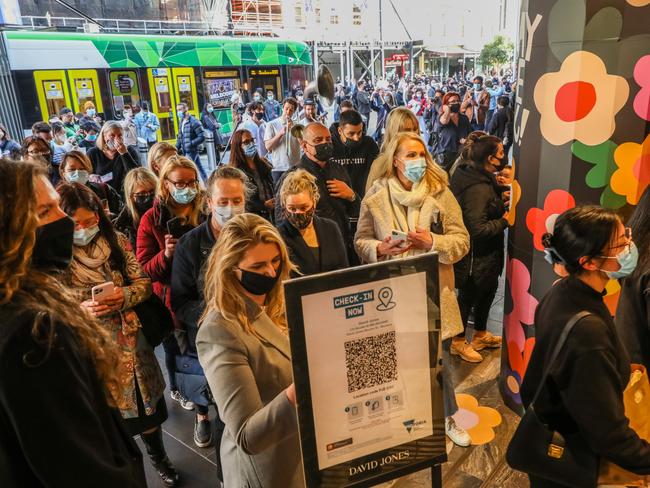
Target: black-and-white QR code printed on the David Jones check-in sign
{"points": [[371, 361]]}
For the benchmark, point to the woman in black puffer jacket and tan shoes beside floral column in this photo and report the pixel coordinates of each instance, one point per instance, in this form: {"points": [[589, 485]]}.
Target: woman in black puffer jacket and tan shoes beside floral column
{"points": [[477, 274]]}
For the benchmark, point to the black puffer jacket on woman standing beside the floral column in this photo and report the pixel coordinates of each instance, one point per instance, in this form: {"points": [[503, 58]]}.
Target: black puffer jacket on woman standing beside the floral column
{"points": [[479, 196]]}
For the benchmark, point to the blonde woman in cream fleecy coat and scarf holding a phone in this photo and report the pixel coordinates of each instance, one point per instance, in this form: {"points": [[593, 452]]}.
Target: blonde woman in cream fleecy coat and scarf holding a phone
{"points": [[410, 211]]}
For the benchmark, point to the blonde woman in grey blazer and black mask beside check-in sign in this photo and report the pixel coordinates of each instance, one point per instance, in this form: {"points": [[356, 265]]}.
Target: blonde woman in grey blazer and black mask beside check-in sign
{"points": [[244, 350]]}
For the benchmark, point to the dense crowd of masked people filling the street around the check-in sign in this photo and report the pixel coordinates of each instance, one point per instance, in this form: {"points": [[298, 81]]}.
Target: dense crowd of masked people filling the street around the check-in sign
{"points": [[100, 254]]}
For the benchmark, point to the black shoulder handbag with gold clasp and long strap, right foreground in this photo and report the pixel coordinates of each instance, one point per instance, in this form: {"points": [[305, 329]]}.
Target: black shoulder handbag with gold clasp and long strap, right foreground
{"points": [[537, 449]]}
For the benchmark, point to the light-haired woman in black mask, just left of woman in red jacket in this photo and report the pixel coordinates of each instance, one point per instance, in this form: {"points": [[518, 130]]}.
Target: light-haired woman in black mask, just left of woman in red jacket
{"points": [[140, 190]]}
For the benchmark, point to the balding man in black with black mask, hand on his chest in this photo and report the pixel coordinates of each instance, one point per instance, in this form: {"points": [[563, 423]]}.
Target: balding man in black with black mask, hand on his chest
{"points": [[338, 200]]}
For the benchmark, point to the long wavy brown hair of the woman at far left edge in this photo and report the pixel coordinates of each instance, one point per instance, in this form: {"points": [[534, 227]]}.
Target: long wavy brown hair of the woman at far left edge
{"points": [[30, 289]]}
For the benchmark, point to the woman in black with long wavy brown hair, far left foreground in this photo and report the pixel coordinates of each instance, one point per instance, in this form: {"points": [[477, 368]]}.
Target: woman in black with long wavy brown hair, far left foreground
{"points": [[52, 353]]}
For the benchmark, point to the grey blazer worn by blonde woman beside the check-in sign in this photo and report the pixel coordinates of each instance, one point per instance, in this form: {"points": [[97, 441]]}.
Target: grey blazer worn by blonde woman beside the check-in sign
{"points": [[260, 447]]}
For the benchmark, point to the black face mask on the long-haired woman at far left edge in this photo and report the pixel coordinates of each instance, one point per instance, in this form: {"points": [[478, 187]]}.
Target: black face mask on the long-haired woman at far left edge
{"points": [[53, 246]]}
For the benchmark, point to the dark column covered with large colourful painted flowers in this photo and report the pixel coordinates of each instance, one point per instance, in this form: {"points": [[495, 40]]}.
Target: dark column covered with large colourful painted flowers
{"points": [[582, 135]]}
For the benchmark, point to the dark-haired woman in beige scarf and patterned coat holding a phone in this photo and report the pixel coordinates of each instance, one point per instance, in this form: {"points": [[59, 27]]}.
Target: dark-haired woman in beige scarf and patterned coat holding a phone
{"points": [[109, 282]]}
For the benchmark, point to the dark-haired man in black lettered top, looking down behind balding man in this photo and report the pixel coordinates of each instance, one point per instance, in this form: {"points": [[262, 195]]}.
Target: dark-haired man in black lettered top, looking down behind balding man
{"points": [[353, 150]]}
